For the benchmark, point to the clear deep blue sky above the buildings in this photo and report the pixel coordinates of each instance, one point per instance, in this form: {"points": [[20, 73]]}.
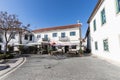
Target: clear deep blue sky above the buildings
{"points": [[49, 13]]}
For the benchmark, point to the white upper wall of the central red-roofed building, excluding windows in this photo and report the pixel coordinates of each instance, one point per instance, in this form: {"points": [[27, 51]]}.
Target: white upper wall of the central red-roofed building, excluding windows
{"points": [[73, 39]]}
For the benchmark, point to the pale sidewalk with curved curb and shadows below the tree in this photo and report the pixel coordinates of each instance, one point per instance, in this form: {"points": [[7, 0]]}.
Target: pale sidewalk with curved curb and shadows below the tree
{"points": [[11, 65]]}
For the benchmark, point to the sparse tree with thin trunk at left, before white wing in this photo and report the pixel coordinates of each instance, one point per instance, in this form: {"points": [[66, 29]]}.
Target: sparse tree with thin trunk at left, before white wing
{"points": [[9, 26]]}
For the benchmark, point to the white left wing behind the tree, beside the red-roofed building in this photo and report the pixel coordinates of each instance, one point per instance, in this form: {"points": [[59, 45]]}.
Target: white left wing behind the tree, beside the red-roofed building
{"points": [[26, 38]]}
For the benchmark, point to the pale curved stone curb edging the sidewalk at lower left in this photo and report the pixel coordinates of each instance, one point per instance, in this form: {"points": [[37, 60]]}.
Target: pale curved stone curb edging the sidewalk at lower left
{"points": [[12, 69]]}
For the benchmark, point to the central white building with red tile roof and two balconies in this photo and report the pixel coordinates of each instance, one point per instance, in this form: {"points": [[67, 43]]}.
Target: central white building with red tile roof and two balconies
{"points": [[59, 36]]}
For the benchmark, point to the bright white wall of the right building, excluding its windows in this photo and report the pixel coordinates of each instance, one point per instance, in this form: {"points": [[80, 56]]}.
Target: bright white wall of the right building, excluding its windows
{"points": [[110, 30]]}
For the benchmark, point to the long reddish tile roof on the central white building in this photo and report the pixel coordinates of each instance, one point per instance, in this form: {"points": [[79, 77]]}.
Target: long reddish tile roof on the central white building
{"points": [[57, 28]]}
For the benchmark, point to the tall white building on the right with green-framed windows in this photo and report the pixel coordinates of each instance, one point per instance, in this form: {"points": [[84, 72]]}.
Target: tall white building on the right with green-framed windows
{"points": [[104, 25]]}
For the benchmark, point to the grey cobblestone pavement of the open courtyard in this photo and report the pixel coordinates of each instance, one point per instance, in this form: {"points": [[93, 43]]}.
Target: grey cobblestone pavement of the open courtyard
{"points": [[45, 67]]}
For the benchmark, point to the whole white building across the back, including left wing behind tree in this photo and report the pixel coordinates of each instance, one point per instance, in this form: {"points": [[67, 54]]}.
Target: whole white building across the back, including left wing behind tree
{"points": [[67, 36]]}
